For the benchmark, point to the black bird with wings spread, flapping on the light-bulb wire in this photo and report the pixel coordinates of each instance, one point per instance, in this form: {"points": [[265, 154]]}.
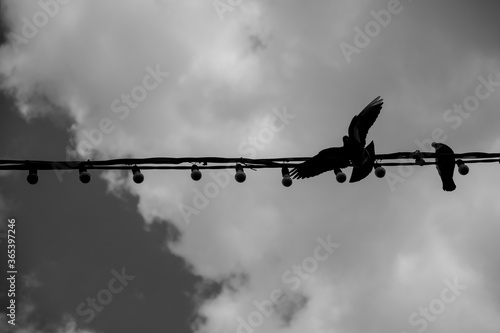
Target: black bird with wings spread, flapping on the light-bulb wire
{"points": [[353, 149]]}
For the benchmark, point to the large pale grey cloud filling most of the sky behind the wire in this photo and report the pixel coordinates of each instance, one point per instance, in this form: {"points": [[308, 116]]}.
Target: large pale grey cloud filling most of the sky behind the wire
{"points": [[224, 77]]}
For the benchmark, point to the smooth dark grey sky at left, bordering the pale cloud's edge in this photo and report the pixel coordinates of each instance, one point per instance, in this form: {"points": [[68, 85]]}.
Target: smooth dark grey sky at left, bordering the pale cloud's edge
{"points": [[70, 238]]}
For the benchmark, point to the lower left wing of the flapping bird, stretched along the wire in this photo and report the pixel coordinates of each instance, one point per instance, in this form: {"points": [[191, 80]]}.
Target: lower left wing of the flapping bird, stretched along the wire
{"points": [[326, 160]]}
